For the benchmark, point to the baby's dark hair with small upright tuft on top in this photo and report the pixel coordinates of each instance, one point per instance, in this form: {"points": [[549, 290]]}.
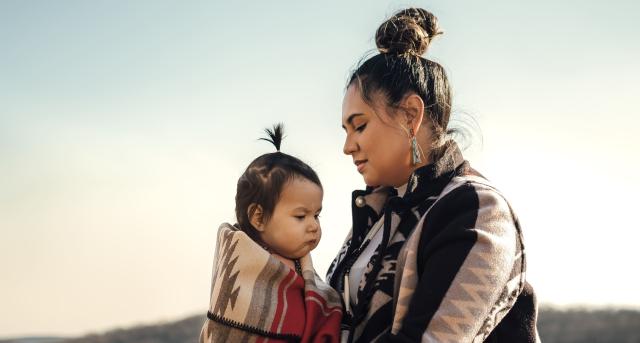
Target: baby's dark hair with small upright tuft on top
{"points": [[263, 180]]}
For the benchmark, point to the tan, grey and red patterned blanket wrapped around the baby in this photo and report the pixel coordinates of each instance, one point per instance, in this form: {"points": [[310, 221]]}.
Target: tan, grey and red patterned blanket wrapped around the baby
{"points": [[257, 298]]}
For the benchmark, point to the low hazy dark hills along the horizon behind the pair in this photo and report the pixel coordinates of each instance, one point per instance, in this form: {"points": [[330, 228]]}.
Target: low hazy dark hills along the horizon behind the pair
{"points": [[555, 326]]}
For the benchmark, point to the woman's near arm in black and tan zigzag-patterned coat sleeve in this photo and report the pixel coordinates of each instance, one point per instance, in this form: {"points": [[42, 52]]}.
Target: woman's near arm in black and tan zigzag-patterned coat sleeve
{"points": [[469, 266]]}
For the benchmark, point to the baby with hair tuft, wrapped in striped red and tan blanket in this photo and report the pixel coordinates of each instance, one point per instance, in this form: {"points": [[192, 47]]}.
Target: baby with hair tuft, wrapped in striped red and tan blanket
{"points": [[264, 287]]}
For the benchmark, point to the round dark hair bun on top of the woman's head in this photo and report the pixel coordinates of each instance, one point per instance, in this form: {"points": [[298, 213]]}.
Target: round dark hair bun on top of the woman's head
{"points": [[407, 32]]}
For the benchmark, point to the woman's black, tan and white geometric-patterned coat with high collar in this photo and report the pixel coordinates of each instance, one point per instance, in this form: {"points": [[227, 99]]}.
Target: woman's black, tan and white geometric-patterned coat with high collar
{"points": [[451, 265]]}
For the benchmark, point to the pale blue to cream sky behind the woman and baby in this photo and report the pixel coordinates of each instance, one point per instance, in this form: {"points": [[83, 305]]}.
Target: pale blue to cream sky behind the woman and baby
{"points": [[124, 126]]}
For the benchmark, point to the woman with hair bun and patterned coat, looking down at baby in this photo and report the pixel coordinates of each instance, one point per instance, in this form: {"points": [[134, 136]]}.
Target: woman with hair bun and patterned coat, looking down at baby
{"points": [[435, 253]]}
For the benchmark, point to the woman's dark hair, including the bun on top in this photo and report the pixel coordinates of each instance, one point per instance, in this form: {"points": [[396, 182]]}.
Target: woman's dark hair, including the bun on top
{"points": [[399, 68]]}
